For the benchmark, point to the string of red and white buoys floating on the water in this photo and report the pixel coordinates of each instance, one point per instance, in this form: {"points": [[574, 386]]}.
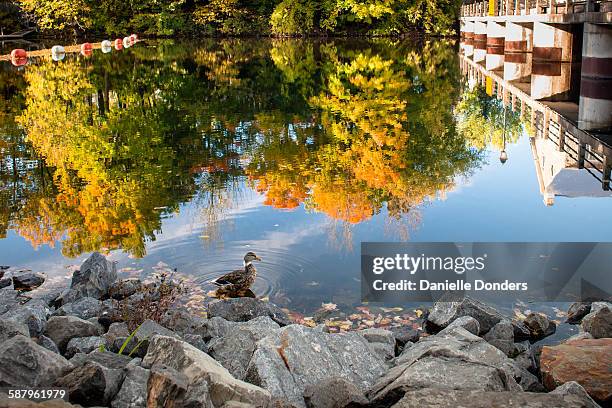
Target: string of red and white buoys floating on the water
{"points": [[20, 57]]}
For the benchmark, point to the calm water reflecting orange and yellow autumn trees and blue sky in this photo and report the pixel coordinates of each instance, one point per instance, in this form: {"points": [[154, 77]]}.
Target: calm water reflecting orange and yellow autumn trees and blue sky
{"points": [[188, 155]]}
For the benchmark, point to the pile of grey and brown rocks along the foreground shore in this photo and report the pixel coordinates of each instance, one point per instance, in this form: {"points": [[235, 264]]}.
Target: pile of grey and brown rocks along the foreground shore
{"points": [[248, 354]]}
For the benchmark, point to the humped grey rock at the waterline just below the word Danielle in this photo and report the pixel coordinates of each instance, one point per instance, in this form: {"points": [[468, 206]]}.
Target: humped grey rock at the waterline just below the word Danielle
{"points": [[445, 312]]}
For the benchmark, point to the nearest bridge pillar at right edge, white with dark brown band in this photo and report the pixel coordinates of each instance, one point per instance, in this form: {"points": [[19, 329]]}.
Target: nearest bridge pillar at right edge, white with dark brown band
{"points": [[595, 104]]}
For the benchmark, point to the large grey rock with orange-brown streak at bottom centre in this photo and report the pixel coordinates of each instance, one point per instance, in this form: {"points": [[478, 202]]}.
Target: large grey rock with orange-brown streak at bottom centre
{"points": [[294, 357]]}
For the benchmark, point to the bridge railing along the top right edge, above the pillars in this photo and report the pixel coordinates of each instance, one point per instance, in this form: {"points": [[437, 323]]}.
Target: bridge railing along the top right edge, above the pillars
{"points": [[528, 7]]}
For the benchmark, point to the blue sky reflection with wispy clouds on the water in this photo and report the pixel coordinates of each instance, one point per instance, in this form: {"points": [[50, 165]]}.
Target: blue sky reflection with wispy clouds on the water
{"points": [[308, 259]]}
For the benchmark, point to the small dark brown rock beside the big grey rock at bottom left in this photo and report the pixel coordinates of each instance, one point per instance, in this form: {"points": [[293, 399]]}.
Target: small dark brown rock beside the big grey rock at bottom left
{"points": [[91, 384]]}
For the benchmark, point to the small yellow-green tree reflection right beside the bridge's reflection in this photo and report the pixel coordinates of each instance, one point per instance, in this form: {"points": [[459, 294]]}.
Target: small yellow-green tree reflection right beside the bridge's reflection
{"points": [[482, 118]]}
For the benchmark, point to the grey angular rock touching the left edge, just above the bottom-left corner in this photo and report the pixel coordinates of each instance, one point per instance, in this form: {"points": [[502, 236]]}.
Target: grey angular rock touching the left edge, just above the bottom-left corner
{"points": [[25, 363]]}
